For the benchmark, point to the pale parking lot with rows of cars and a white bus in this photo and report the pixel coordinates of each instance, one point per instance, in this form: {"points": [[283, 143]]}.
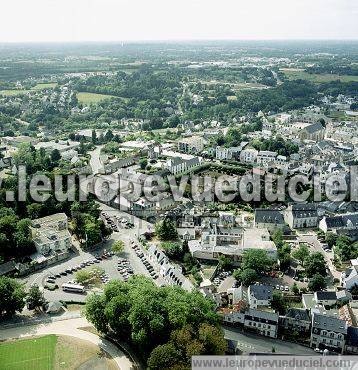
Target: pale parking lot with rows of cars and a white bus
{"points": [[122, 267]]}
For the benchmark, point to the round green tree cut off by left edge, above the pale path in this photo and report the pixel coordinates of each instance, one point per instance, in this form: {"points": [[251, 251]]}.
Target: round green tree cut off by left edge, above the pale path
{"points": [[12, 296]]}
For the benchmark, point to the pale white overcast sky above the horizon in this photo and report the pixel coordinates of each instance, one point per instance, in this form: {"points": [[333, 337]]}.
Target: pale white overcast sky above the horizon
{"points": [[121, 20]]}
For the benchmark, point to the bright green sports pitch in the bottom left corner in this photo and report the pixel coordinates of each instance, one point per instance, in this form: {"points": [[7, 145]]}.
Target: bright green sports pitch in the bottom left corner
{"points": [[28, 354]]}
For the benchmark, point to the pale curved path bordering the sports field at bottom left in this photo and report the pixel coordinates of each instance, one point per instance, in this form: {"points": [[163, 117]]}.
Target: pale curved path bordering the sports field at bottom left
{"points": [[71, 328]]}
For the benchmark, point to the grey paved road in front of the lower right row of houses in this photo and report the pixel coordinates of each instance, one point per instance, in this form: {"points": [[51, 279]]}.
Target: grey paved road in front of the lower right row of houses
{"points": [[251, 343]]}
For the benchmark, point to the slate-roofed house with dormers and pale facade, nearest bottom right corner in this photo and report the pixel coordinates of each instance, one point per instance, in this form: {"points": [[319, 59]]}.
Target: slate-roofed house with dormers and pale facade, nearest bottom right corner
{"points": [[328, 332]]}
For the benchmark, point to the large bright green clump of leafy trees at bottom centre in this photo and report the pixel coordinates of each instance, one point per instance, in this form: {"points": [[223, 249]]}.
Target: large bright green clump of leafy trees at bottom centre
{"points": [[146, 314]]}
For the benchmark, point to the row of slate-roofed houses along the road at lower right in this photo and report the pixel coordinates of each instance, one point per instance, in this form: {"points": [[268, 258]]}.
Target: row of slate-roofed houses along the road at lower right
{"points": [[333, 331]]}
